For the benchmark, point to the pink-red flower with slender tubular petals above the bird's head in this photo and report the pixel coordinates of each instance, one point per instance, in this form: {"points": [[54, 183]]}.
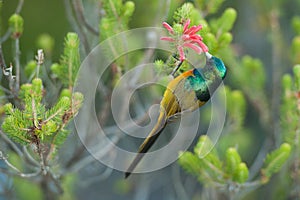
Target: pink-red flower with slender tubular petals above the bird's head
{"points": [[189, 39]]}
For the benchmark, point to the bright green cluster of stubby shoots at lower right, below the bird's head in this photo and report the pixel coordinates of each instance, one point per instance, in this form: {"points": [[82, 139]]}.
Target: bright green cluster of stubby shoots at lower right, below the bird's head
{"points": [[210, 168]]}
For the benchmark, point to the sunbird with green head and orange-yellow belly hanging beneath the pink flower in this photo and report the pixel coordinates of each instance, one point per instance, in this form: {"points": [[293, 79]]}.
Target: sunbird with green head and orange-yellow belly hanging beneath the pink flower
{"points": [[185, 93]]}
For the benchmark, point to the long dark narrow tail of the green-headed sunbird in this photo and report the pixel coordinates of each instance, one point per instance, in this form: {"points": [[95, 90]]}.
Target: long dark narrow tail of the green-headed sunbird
{"points": [[148, 142]]}
